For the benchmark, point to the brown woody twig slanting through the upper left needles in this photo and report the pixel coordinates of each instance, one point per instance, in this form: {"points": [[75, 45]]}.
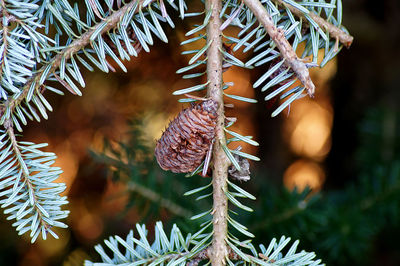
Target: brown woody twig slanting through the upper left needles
{"points": [[71, 49]]}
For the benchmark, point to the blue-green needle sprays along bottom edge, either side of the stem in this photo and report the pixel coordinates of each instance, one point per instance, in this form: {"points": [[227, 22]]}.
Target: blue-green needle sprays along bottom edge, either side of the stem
{"points": [[180, 250]]}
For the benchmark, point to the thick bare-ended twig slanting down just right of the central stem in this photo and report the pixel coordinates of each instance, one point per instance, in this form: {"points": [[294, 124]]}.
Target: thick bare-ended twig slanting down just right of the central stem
{"points": [[278, 37]]}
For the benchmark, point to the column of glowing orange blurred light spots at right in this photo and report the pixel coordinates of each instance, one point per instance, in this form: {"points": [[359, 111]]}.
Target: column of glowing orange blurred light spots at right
{"points": [[308, 132]]}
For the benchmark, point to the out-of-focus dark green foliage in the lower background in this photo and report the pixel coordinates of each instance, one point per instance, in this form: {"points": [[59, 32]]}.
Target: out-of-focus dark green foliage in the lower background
{"points": [[338, 224]]}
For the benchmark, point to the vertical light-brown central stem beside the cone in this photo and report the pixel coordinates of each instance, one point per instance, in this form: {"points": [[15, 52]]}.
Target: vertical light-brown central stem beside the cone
{"points": [[220, 162]]}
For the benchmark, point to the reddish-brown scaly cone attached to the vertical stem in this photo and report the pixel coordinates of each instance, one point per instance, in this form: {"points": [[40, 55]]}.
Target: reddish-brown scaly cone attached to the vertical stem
{"points": [[184, 144]]}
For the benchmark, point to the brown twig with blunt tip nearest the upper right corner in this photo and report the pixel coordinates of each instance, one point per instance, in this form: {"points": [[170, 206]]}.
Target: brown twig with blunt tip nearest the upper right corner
{"points": [[335, 32]]}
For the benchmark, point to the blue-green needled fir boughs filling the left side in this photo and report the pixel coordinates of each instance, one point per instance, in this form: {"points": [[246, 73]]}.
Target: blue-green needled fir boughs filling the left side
{"points": [[47, 41]]}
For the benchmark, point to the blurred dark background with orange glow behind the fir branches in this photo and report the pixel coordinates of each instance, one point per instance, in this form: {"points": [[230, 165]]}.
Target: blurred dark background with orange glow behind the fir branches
{"points": [[329, 170]]}
